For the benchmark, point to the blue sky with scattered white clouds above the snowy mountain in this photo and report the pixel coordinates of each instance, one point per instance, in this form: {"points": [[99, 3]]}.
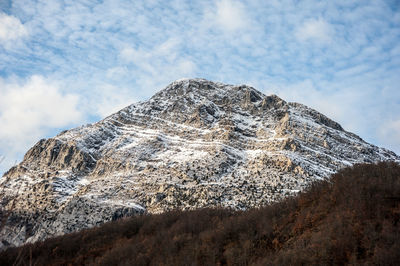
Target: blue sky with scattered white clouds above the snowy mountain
{"points": [[69, 63]]}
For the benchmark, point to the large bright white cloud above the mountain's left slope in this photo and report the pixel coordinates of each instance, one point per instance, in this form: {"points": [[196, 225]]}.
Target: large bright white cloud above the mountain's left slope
{"points": [[29, 110]]}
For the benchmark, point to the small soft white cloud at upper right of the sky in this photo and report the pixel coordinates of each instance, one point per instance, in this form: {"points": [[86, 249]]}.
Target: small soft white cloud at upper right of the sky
{"points": [[317, 30]]}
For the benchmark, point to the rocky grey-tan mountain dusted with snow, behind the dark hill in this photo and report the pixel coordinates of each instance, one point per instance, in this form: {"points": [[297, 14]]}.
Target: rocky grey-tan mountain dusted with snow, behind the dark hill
{"points": [[194, 144]]}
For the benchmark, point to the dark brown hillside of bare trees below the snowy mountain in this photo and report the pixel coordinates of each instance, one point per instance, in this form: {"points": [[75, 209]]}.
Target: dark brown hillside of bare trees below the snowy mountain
{"points": [[351, 219]]}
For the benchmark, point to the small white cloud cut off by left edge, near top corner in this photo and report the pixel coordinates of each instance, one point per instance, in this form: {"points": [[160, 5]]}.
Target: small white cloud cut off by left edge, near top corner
{"points": [[11, 29]]}
